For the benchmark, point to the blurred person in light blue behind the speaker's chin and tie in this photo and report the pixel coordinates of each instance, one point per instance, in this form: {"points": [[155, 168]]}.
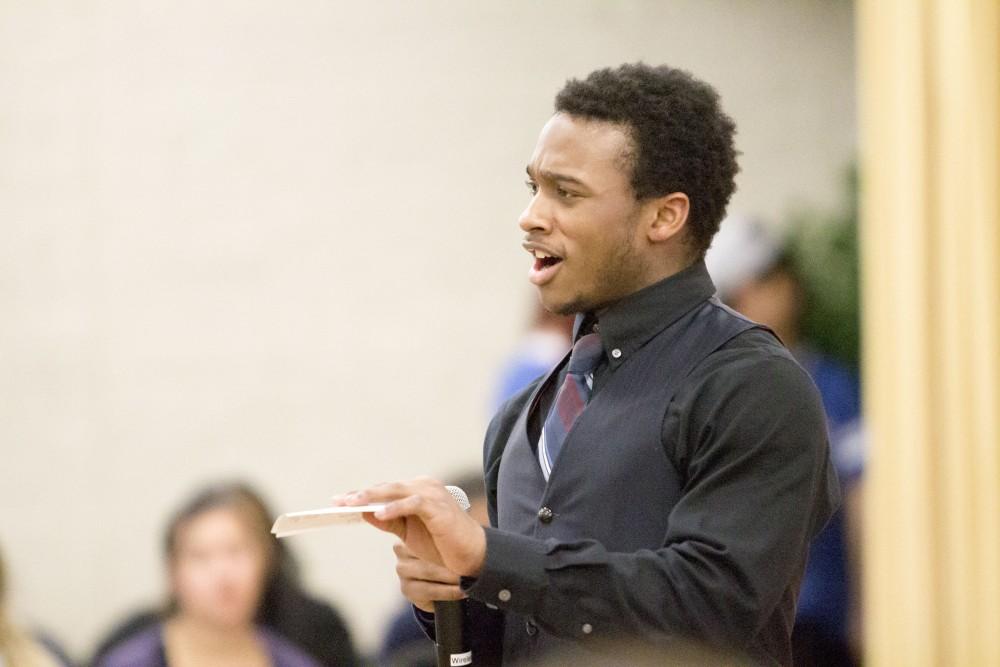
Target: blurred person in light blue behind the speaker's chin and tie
{"points": [[546, 342]]}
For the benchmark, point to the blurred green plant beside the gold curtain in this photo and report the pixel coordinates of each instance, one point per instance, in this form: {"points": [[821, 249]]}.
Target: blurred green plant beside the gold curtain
{"points": [[824, 249]]}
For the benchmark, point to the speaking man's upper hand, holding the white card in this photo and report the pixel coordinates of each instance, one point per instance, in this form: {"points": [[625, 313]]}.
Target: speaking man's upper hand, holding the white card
{"points": [[427, 519]]}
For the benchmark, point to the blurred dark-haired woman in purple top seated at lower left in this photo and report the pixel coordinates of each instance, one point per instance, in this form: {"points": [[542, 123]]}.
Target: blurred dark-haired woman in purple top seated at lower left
{"points": [[234, 596]]}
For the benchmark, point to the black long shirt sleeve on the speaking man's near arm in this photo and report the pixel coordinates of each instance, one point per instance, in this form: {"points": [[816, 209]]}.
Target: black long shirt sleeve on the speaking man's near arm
{"points": [[750, 435]]}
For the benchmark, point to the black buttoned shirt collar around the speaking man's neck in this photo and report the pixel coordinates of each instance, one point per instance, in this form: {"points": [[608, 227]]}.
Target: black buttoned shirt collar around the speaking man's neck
{"points": [[628, 324]]}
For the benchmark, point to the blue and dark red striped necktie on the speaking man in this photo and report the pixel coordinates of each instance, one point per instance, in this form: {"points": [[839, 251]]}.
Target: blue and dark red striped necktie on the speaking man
{"points": [[570, 400]]}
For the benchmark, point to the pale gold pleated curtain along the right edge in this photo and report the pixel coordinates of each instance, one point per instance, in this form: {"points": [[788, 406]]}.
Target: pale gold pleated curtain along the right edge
{"points": [[929, 73]]}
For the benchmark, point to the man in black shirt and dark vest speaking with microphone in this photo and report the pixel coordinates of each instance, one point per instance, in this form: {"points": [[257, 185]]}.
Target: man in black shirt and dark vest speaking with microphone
{"points": [[661, 484]]}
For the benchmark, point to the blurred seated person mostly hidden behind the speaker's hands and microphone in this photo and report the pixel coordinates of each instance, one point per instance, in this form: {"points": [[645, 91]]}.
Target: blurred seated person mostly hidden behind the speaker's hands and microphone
{"points": [[404, 643]]}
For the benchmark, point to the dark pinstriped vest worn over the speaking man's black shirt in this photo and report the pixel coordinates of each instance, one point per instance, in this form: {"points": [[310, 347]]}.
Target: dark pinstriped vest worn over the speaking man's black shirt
{"points": [[615, 480]]}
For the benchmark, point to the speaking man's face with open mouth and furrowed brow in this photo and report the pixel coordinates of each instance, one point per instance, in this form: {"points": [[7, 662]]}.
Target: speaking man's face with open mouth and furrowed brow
{"points": [[581, 222]]}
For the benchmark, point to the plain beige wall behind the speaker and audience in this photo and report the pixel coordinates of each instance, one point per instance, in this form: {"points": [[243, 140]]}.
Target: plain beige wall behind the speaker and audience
{"points": [[277, 240]]}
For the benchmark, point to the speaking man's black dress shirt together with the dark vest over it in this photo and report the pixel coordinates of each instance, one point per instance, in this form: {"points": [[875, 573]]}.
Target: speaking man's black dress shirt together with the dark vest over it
{"points": [[684, 499]]}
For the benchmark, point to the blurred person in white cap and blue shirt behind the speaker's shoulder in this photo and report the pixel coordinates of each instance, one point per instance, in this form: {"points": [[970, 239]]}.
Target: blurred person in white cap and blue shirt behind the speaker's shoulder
{"points": [[756, 274]]}
